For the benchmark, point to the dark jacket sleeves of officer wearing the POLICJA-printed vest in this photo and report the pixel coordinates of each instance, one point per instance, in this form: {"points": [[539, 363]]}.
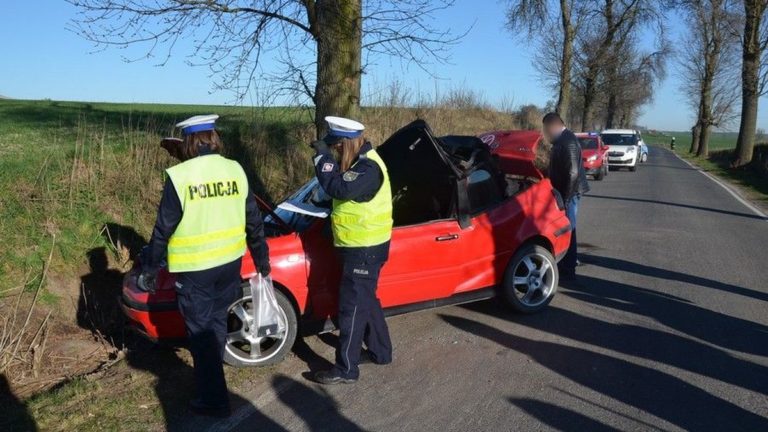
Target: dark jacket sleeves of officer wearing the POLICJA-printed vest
{"points": [[169, 216]]}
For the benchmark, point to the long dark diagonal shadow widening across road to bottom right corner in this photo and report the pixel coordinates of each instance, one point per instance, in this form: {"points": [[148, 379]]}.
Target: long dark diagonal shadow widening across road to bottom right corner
{"points": [[644, 388]]}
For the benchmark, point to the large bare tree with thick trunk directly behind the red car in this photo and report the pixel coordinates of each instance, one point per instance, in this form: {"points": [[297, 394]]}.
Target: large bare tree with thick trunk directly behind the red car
{"points": [[322, 46]]}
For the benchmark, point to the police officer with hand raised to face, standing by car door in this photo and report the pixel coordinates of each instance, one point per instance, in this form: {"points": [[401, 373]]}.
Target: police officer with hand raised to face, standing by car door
{"points": [[361, 221]]}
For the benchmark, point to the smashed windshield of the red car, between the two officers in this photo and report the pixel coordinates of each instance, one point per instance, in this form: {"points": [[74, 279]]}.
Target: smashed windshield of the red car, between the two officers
{"points": [[302, 208]]}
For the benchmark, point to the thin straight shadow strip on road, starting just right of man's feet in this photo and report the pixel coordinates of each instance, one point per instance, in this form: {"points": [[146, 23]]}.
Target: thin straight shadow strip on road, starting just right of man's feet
{"points": [[645, 270]]}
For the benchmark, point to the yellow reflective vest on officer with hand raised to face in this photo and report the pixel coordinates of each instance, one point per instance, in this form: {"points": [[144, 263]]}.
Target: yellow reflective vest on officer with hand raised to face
{"points": [[362, 224]]}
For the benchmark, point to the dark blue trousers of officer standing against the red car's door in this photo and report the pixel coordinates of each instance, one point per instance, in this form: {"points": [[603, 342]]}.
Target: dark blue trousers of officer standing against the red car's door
{"points": [[361, 318]]}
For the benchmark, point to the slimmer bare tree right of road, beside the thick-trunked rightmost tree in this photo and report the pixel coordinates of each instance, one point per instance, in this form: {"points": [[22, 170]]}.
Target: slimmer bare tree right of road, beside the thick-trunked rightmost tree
{"points": [[706, 59]]}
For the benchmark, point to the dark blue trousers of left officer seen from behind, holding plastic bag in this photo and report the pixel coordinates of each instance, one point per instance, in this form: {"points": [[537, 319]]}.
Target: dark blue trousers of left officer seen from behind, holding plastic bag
{"points": [[204, 297]]}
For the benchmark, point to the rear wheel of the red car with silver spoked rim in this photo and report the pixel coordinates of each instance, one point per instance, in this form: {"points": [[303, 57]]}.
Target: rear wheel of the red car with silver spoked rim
{"points": [[531, 279]]}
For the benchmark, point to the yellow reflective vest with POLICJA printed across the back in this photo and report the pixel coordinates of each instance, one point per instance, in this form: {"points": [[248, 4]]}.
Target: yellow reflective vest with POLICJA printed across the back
{"points": [[212, 191]]}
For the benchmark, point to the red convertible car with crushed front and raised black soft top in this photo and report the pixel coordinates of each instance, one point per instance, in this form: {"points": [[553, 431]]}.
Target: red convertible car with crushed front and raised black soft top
{"points": [[473, 219]]}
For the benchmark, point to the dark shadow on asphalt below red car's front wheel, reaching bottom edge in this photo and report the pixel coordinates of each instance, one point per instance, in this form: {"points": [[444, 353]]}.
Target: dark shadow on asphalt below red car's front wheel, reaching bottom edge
{"points": [[318, 410]]}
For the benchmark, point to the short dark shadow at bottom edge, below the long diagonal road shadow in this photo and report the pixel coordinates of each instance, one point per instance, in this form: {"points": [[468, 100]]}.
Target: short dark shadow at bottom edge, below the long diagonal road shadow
{"points": [[558, 417]]}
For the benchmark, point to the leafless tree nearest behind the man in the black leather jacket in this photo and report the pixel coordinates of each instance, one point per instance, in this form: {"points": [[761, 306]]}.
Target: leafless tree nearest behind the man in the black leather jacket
{"points": [[555, 23]]}
